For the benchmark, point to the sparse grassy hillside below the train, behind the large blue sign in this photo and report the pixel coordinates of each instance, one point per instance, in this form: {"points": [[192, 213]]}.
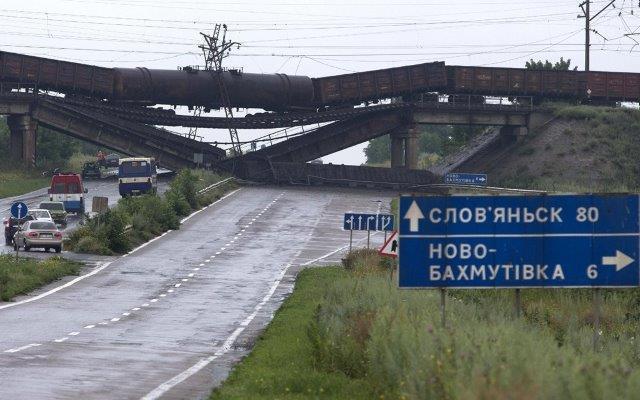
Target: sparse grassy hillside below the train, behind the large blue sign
{"points": [[581, 148]]}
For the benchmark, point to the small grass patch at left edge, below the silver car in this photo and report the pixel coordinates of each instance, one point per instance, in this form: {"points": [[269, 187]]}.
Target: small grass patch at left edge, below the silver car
{"points": [[24, 274]]}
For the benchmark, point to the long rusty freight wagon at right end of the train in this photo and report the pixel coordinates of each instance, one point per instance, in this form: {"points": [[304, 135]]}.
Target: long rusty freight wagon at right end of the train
{"points": [[594, 86]]}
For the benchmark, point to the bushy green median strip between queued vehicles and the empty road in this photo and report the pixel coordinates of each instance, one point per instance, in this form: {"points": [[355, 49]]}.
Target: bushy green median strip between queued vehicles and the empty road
{"points": [[136, 220]]}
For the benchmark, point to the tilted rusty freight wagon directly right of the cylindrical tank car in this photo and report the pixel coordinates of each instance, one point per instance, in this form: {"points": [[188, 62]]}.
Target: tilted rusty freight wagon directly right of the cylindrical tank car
{"points": [[380, 84]]}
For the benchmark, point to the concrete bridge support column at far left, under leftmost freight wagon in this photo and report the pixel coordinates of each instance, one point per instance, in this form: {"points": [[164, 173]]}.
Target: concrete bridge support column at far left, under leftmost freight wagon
{"points": [[22, 139]]}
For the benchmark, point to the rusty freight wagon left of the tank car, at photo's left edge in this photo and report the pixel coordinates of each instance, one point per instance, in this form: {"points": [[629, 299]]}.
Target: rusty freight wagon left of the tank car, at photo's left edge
{"points": [[60, 76]]}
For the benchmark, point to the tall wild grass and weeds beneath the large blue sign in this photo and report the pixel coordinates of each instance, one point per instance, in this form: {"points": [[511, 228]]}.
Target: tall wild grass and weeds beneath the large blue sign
{"points": [[368, 329]]}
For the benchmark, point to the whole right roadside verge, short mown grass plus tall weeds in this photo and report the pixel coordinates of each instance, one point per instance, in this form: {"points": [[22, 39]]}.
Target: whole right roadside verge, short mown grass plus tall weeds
{"points": [[352, 334]]}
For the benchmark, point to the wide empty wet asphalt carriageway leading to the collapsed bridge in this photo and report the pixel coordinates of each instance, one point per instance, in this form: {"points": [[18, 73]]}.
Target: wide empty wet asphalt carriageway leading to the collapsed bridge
{"points": [[170, 319]]}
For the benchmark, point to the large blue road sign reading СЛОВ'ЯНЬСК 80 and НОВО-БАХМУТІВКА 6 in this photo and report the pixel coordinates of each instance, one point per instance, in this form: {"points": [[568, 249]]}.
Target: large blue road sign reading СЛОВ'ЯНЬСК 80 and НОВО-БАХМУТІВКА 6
{"points": [[519, 241]]}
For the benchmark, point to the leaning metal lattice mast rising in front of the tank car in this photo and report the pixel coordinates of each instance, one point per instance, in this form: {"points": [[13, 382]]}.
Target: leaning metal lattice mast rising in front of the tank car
{"points": [[215, 49]]}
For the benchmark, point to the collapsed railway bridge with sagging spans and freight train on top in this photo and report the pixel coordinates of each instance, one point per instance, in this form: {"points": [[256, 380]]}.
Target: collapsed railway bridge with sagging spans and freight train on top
{"points": [[111, 107]]}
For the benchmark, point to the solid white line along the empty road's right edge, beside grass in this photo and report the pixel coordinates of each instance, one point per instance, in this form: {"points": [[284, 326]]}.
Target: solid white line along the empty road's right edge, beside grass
{"points": [[226, 346]]}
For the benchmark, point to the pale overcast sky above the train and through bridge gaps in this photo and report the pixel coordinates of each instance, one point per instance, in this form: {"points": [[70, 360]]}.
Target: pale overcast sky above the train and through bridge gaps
{"points": [[321, 37]]}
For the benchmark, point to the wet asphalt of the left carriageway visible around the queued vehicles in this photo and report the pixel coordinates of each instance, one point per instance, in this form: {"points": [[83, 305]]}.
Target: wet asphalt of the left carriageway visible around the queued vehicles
{"points": [[103, 188]]}
